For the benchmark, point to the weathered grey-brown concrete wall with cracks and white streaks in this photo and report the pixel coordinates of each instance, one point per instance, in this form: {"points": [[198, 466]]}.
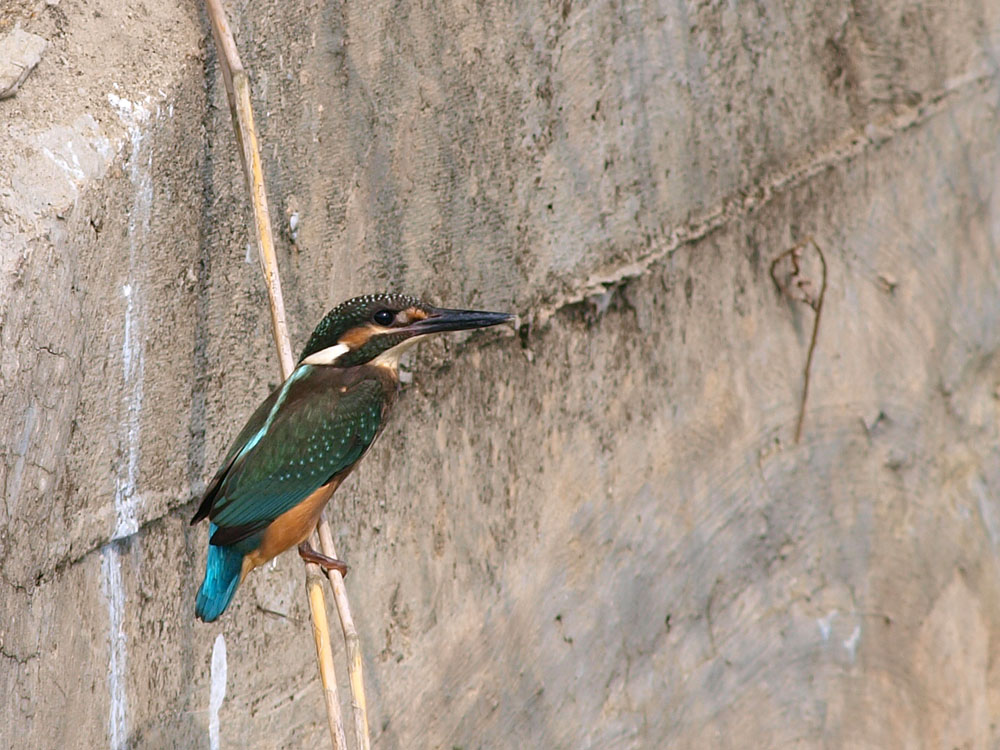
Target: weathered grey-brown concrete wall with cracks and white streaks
{"points": [[598, 533]]}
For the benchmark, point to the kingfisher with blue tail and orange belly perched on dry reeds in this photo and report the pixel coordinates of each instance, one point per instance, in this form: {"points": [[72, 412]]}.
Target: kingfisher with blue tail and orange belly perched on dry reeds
{"points": [[308, 435]]}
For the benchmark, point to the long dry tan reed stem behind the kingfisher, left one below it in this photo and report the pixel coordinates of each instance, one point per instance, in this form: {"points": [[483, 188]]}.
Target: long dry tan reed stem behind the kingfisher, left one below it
{"points": [[240, 108]]}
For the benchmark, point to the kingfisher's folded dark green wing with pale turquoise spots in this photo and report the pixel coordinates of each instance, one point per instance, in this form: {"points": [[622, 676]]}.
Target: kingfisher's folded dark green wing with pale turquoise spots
{"points": [[309, 435]]}
